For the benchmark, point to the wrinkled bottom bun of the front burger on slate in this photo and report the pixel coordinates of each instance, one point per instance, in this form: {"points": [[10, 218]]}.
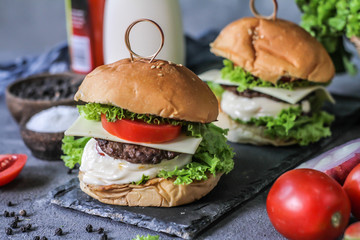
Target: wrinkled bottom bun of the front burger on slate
{"points": [[157, 192]]}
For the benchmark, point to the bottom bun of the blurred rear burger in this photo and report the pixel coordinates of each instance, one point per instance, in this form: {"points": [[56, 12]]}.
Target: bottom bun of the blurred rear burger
{"points": [[243, 133]]}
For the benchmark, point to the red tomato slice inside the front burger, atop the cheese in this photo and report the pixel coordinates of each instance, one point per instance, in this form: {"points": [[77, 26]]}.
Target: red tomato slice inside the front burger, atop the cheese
{"points": [[138, 131]]}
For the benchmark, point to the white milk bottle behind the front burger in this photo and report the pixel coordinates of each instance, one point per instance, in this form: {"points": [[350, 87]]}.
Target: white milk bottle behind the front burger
{"points": [[145, 38]]}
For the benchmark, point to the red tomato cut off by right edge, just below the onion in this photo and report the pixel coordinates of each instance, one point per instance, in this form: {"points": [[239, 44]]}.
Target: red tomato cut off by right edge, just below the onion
{"points": [[352, 188]]}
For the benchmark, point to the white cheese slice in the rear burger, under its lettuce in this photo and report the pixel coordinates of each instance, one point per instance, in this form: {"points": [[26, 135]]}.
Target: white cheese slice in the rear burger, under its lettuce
{"points": [[290, 96]]}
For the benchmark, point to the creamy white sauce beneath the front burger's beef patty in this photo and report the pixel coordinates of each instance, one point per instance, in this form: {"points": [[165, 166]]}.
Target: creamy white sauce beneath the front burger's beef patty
{"points": [[100, 169]]}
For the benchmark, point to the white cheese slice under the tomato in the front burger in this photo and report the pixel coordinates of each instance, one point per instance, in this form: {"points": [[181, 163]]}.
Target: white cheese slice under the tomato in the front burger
{"points": [[89, 128]]}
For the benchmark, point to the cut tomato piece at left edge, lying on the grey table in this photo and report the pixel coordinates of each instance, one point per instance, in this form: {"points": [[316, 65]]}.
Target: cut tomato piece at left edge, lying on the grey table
{"points": [[10, 166]]}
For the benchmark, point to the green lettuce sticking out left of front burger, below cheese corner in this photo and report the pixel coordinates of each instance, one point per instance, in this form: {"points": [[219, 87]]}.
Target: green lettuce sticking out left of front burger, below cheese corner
{"points": [[73, 150]]}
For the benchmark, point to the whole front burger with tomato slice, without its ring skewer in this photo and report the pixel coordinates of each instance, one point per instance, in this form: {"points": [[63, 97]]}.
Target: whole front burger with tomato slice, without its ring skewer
{"points": [[147, 137]]}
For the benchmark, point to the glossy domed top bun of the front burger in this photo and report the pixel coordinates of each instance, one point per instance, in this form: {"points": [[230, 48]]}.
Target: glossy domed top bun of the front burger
{"points": [[160, 88]]}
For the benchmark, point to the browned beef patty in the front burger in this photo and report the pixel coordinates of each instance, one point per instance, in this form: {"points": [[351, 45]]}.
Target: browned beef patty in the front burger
{"points": [[135, 153]]}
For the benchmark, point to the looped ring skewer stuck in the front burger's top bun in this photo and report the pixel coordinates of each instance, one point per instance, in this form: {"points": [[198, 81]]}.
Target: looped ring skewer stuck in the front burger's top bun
{"points": [[127, 41]]}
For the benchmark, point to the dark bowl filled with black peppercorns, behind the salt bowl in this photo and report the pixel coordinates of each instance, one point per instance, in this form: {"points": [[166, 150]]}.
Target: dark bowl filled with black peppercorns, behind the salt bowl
{"points": [[30, 95]]}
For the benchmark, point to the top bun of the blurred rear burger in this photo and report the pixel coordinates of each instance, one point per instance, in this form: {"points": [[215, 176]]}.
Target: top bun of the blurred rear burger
{"points": [[271, 49]]}
